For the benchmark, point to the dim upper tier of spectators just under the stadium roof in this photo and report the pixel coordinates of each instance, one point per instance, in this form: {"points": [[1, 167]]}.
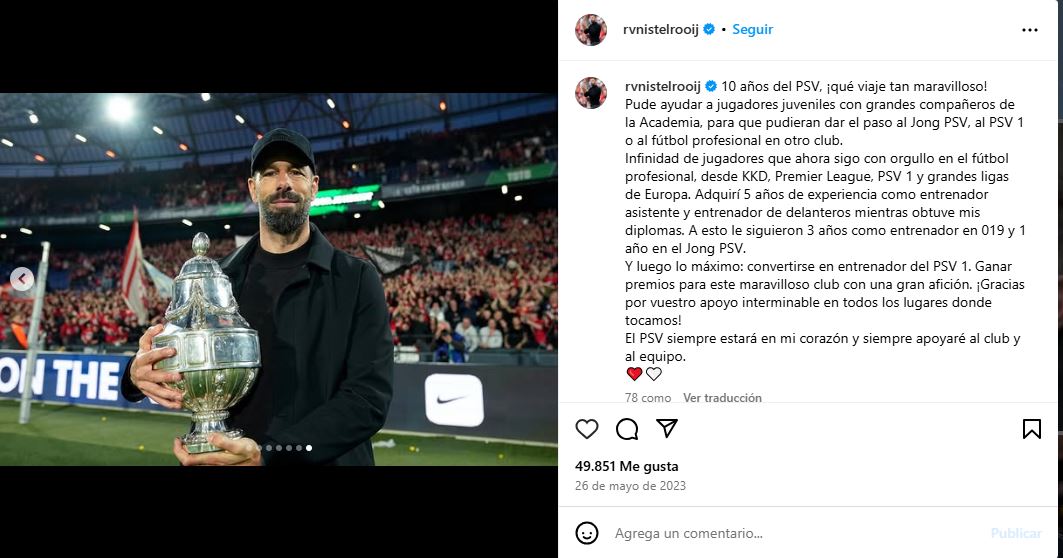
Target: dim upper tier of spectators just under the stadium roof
{"points": [[419, 158]]}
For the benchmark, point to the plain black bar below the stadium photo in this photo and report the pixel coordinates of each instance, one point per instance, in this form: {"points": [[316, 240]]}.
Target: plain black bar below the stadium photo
{"points": [[450, 511]]}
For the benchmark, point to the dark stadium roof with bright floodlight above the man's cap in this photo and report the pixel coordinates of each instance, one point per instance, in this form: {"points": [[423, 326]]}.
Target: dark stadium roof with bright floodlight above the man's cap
{"points": [[71, 134]]}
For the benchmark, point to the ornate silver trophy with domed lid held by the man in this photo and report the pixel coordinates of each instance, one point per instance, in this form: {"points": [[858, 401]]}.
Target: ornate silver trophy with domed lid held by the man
{"points": [[217, 352]]}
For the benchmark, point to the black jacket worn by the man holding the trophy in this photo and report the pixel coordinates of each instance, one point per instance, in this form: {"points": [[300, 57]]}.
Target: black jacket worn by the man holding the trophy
{"points": [[336, 319]]}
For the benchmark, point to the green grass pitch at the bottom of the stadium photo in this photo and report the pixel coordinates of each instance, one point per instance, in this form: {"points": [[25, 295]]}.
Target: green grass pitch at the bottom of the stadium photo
{"points": [[63, 435]]}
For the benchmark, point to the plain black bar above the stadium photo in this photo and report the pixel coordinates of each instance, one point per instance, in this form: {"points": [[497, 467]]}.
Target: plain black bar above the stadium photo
{"points": [[443, 47]]}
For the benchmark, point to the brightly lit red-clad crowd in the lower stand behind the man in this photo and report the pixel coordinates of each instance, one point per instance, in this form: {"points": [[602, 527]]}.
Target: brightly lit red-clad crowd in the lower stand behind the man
{"points": [[484, 282]]}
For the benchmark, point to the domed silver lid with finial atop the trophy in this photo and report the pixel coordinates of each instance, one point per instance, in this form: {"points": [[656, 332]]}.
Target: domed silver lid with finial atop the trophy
{"points": [[203, 294]]}
